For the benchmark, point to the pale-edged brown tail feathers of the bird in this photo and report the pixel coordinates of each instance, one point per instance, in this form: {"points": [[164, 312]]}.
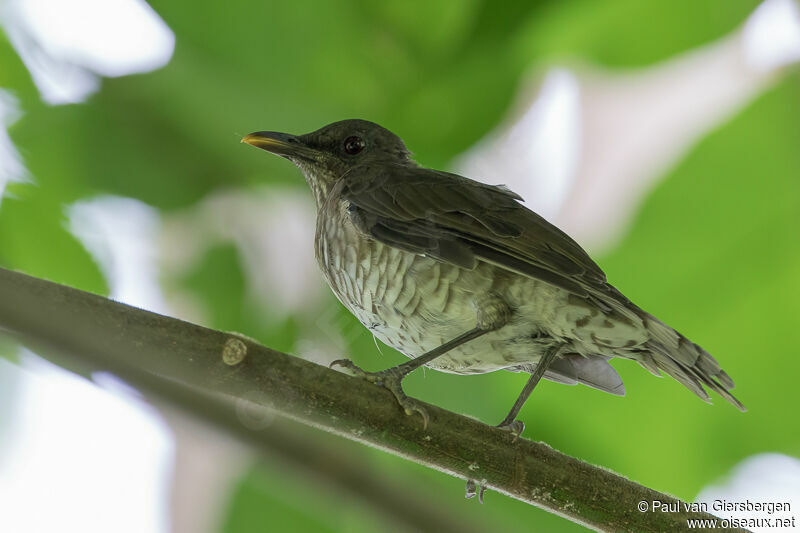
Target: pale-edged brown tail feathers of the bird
{"points": [[685, 361]]}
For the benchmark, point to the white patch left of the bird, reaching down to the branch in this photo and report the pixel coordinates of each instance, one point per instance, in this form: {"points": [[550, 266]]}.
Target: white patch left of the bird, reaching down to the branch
{"points": [[122, 236]]}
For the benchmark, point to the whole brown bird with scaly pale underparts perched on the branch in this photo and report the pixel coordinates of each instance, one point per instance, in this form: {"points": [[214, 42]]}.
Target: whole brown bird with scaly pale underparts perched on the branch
{"points": [[460, 276]]}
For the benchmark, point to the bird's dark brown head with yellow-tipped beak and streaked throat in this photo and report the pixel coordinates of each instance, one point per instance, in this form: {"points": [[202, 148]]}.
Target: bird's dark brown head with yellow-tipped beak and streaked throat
{"points": [[327, 154]]}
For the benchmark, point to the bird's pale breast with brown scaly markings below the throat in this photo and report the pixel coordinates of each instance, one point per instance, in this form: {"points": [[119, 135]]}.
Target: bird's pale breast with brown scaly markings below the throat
{"points": [[407, 300]]}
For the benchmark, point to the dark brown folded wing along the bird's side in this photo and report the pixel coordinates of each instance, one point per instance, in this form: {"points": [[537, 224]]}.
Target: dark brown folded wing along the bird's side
{"points": [[460, 221]]}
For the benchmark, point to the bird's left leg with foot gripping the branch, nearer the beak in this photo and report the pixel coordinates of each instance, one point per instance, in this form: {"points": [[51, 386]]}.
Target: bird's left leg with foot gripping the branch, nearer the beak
{"points": [[493, 314]]}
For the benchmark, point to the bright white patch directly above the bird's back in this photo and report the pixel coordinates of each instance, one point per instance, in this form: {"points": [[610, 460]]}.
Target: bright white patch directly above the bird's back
{"points": [[538, 154]]}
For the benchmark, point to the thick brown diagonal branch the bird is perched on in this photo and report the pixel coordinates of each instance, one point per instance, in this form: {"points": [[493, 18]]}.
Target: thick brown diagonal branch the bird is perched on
{"points": [[219, 376]]}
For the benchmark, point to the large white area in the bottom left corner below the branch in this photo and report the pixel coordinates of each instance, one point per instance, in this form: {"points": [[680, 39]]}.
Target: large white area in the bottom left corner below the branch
{"points": [[71, 472]]}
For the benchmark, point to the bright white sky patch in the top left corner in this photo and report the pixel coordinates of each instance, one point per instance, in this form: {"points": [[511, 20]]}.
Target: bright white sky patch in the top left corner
{"points": [[66, 45]]}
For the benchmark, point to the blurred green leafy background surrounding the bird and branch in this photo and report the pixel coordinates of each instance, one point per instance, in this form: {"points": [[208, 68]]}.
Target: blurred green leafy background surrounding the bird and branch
{"points": [[714, 250]]}
